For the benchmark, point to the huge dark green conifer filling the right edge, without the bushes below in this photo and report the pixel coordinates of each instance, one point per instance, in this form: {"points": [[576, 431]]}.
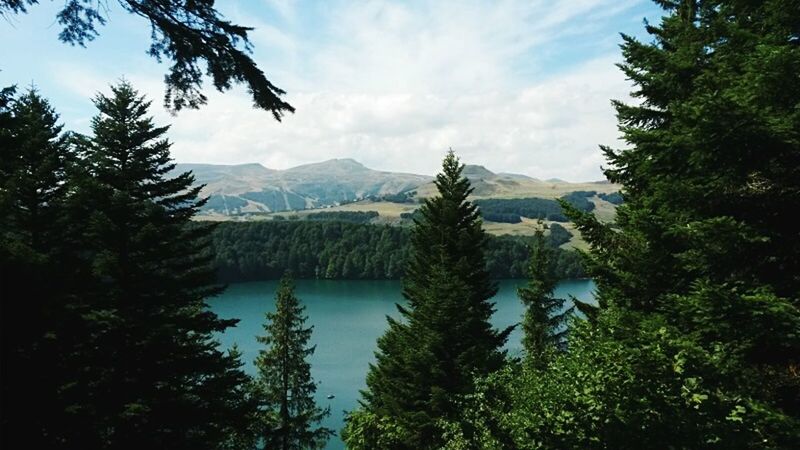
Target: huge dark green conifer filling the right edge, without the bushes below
{"points": [[706, 239]]}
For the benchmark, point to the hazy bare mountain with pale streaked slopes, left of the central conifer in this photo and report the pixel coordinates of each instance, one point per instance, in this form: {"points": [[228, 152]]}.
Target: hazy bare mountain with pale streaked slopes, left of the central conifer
{"points": [[255, 188]]}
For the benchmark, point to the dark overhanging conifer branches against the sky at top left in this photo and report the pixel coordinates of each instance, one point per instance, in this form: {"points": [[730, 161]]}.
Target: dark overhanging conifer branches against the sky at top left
{"points": [[191, 34]]}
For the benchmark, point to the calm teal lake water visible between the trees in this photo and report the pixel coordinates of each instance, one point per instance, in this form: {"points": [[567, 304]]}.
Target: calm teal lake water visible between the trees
{"points": [[348, 317]]}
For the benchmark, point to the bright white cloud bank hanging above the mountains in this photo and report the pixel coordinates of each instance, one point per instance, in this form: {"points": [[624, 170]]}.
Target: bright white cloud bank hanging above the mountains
{"points": [[394, 85]]}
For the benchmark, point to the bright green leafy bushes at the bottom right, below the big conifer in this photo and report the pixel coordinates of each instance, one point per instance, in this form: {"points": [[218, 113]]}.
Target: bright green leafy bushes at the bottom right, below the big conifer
{"points": [[629, 381]]}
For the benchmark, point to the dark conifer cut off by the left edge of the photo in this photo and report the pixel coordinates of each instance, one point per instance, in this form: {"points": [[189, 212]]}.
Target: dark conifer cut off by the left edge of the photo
{"points": [[34, 265]]}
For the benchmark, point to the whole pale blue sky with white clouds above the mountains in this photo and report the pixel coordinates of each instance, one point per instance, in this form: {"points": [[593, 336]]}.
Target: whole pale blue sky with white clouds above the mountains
{"points": [[516, 86]]}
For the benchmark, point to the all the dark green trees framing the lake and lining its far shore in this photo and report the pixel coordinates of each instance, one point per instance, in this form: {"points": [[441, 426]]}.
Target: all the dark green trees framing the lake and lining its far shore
{"points": [[692, 342]]}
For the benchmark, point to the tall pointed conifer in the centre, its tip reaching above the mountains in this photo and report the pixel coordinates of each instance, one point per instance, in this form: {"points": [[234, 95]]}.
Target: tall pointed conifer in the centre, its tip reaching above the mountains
{"points": [[445, 340]]}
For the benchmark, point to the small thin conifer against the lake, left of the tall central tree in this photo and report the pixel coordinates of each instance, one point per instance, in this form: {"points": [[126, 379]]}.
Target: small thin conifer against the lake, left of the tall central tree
{"points": [[284, 384]]}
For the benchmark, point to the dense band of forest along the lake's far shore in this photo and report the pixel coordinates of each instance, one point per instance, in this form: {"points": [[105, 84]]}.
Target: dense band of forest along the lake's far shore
{"points": [[262, 250]]}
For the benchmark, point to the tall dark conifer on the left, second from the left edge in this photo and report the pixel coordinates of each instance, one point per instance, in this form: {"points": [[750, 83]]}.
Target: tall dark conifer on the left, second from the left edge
{"points": [[153, 375]]}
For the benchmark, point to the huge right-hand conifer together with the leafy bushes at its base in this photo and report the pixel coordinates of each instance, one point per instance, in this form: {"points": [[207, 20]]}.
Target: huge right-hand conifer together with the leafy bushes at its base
{"points": [[696, 341]]}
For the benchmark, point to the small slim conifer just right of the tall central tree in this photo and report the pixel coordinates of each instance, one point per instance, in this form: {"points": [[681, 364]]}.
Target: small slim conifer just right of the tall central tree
{"points": [[544, 322]]}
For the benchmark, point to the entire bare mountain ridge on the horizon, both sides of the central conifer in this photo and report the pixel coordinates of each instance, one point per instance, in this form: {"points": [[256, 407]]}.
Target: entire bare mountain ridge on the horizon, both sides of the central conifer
{"points": [[254, 188]]}
